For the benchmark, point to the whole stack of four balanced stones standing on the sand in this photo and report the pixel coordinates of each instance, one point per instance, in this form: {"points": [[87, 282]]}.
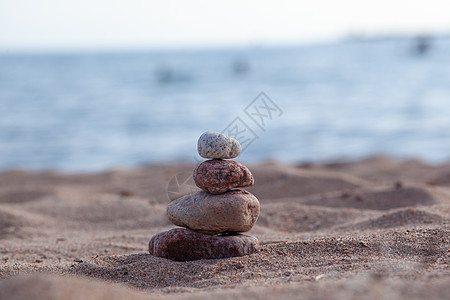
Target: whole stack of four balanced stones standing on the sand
{"points": [[214, 217]]}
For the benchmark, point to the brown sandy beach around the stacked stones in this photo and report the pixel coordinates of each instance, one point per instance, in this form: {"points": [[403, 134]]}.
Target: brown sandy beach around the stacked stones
{"points": [[372, 229]]}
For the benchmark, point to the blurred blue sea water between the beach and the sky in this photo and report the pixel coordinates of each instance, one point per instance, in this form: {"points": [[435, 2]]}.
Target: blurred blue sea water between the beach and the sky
{"points": [[347, 100]]}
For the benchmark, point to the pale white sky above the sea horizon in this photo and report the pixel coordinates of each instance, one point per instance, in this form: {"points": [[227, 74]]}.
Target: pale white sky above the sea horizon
{"points": [[28, 25]]}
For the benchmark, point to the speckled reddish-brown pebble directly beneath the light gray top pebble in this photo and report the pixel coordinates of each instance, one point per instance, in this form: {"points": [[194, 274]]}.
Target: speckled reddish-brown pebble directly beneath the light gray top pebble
{"points": [[219, 176]]}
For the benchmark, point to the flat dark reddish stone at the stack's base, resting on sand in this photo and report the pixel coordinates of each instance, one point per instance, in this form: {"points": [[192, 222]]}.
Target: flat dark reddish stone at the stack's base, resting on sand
{"points": [[182, 244]]}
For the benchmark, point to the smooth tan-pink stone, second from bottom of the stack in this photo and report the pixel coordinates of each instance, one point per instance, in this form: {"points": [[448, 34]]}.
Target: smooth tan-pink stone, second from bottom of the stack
{"points": [[233, 211]]}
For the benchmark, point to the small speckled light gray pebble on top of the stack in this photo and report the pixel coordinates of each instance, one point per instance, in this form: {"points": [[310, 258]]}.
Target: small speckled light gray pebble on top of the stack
{"points": [[214, 145]]}
